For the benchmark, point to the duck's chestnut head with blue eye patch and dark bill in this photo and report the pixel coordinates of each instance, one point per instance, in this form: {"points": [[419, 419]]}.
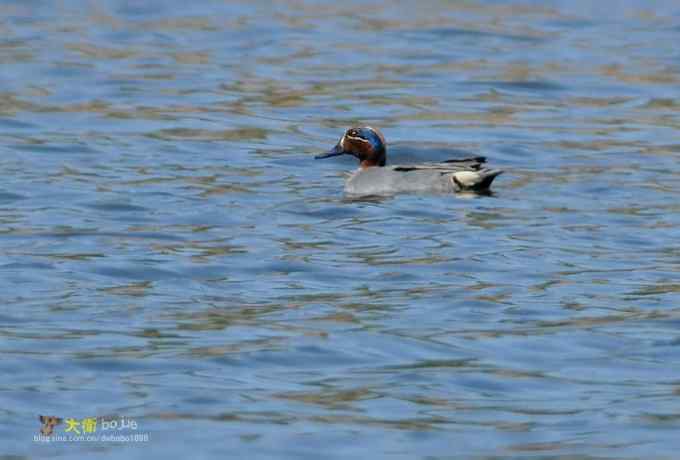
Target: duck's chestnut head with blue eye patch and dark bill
{"points": [[367, 144]]}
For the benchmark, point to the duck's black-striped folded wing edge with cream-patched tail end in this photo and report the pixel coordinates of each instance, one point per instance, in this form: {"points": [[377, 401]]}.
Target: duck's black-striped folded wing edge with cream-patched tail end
{"points": [[465, 174]]}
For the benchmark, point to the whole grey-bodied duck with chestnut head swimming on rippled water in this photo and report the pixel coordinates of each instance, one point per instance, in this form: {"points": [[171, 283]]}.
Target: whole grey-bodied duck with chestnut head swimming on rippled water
{"points": [[374, 178]]}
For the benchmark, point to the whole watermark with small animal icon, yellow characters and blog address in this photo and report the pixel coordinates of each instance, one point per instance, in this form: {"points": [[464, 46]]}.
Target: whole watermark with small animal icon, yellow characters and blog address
{"points": [[90, 429]]}
